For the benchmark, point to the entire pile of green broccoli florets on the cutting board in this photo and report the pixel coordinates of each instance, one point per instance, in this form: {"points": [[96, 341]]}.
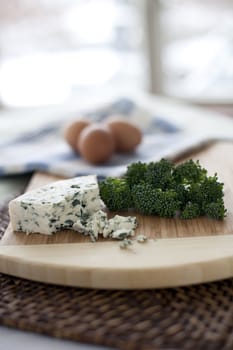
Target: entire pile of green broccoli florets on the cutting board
{"points": [[163, 189]]}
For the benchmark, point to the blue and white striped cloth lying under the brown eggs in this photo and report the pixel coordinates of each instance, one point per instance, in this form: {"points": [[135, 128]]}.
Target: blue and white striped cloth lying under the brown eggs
{"points": [[46, 150]]}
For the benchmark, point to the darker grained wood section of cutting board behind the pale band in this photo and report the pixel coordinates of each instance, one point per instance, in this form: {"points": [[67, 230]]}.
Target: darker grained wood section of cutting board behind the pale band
{"points": [[216, 158]]}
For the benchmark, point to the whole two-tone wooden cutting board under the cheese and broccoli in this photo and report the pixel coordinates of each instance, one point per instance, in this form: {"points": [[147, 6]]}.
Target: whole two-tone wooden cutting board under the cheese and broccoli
{"points": [[179, 252]]}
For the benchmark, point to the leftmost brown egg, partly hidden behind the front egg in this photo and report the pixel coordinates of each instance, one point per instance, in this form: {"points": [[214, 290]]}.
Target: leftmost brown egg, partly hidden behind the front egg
{"points": [[73, 130]]}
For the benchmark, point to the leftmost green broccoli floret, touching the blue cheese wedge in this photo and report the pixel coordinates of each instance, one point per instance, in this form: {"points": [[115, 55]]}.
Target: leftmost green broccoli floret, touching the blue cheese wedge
{"points": [[115, 193]]}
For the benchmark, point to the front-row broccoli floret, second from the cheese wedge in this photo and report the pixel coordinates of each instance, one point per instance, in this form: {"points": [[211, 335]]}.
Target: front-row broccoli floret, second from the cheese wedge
{"points": [[143, 196]]}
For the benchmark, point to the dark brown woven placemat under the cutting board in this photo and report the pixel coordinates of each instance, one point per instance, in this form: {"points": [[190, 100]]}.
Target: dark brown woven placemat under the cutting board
{"points": [[198, 317]]}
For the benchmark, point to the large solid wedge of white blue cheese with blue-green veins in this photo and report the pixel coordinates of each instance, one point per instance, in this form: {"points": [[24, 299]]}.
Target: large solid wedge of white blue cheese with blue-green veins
{"points": [[55, 206]]}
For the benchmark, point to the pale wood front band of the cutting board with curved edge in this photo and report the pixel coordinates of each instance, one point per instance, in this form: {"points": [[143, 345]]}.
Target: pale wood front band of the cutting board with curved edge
{"points": [[154, 264]]}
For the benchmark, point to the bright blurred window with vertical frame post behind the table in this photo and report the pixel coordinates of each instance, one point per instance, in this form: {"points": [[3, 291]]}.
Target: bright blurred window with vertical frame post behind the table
{"points": [[52, 51]]}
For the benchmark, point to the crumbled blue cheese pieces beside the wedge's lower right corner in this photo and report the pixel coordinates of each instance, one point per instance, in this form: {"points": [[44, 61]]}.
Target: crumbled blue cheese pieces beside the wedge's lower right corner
{"points": [[119, 227]]}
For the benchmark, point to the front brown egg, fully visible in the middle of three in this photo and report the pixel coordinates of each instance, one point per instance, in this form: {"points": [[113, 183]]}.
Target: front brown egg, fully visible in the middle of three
{"points": [[96, 143]]}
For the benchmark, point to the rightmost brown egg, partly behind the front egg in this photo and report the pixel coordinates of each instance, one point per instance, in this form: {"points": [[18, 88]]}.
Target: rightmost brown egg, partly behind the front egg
{"points": [[127, 136]]}
